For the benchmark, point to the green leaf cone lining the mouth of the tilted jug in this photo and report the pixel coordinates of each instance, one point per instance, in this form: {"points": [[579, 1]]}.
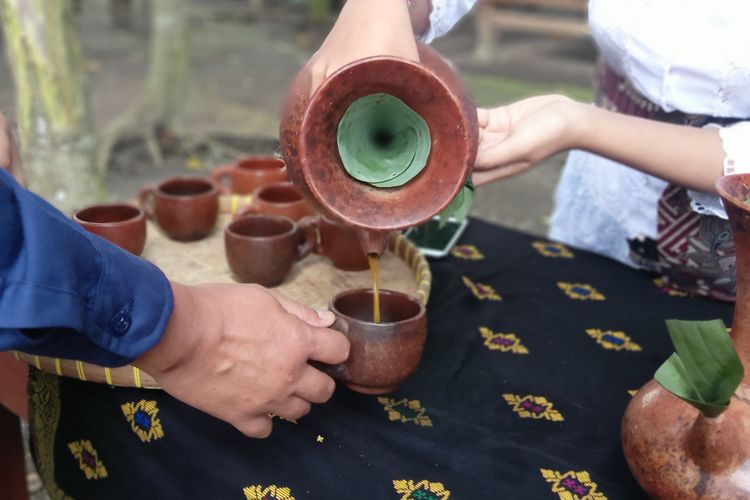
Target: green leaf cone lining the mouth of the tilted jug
{"points": [[382, 141]]}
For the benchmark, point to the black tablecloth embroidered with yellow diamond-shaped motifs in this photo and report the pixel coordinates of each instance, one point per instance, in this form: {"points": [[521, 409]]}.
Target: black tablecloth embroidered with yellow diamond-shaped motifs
{"points": [[533, 352]]}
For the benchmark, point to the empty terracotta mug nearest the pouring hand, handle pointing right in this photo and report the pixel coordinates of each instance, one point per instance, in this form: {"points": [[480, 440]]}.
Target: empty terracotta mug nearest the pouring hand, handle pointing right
{"points": [[263, 248]]}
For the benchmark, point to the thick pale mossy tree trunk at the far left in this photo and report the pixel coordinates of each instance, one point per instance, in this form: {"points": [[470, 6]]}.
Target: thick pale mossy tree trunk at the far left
{"points": [[58, 143]]}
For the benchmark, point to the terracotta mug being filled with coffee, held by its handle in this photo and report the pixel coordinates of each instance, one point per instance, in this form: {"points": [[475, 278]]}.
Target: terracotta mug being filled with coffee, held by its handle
{"points": [[383, 355]]}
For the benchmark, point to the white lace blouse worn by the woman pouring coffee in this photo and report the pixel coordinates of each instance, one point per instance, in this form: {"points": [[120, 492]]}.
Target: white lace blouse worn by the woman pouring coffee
{"points": [[687, 55]]}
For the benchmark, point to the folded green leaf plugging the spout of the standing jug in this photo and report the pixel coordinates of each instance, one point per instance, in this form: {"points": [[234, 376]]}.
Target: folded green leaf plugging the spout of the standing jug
{"points": [[705, 371]]}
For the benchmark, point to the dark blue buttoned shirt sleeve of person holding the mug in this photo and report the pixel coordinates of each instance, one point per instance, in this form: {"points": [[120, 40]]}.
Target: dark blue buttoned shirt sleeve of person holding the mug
{"points": [[67, 293]]}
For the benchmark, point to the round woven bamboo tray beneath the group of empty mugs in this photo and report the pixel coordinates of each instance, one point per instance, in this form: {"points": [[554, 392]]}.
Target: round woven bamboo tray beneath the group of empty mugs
{"points": [[313, 281]]}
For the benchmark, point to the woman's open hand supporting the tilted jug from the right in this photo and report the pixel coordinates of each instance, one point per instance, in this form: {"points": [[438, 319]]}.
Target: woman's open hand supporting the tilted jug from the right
{"points": [[512, 138]]}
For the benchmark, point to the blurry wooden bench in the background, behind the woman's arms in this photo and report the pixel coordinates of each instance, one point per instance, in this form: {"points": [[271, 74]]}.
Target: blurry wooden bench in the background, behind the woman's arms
{"points": [[562, 18]]}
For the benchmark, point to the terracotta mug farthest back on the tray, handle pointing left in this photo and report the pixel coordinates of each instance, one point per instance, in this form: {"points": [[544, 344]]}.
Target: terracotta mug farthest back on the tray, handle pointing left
{"points": [[248, 174]]}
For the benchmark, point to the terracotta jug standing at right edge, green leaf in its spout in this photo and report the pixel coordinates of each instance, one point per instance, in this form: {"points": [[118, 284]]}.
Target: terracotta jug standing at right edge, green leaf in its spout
{"points": [[673, 450]]}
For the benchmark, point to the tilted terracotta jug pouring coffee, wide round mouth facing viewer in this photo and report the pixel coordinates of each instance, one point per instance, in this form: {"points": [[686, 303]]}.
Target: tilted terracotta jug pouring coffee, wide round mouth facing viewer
{"points": [[308, 135]]}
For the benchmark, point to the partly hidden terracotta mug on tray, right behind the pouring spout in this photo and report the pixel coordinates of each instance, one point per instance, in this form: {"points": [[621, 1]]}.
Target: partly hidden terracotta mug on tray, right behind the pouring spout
{"points": [[339, 242]]}
